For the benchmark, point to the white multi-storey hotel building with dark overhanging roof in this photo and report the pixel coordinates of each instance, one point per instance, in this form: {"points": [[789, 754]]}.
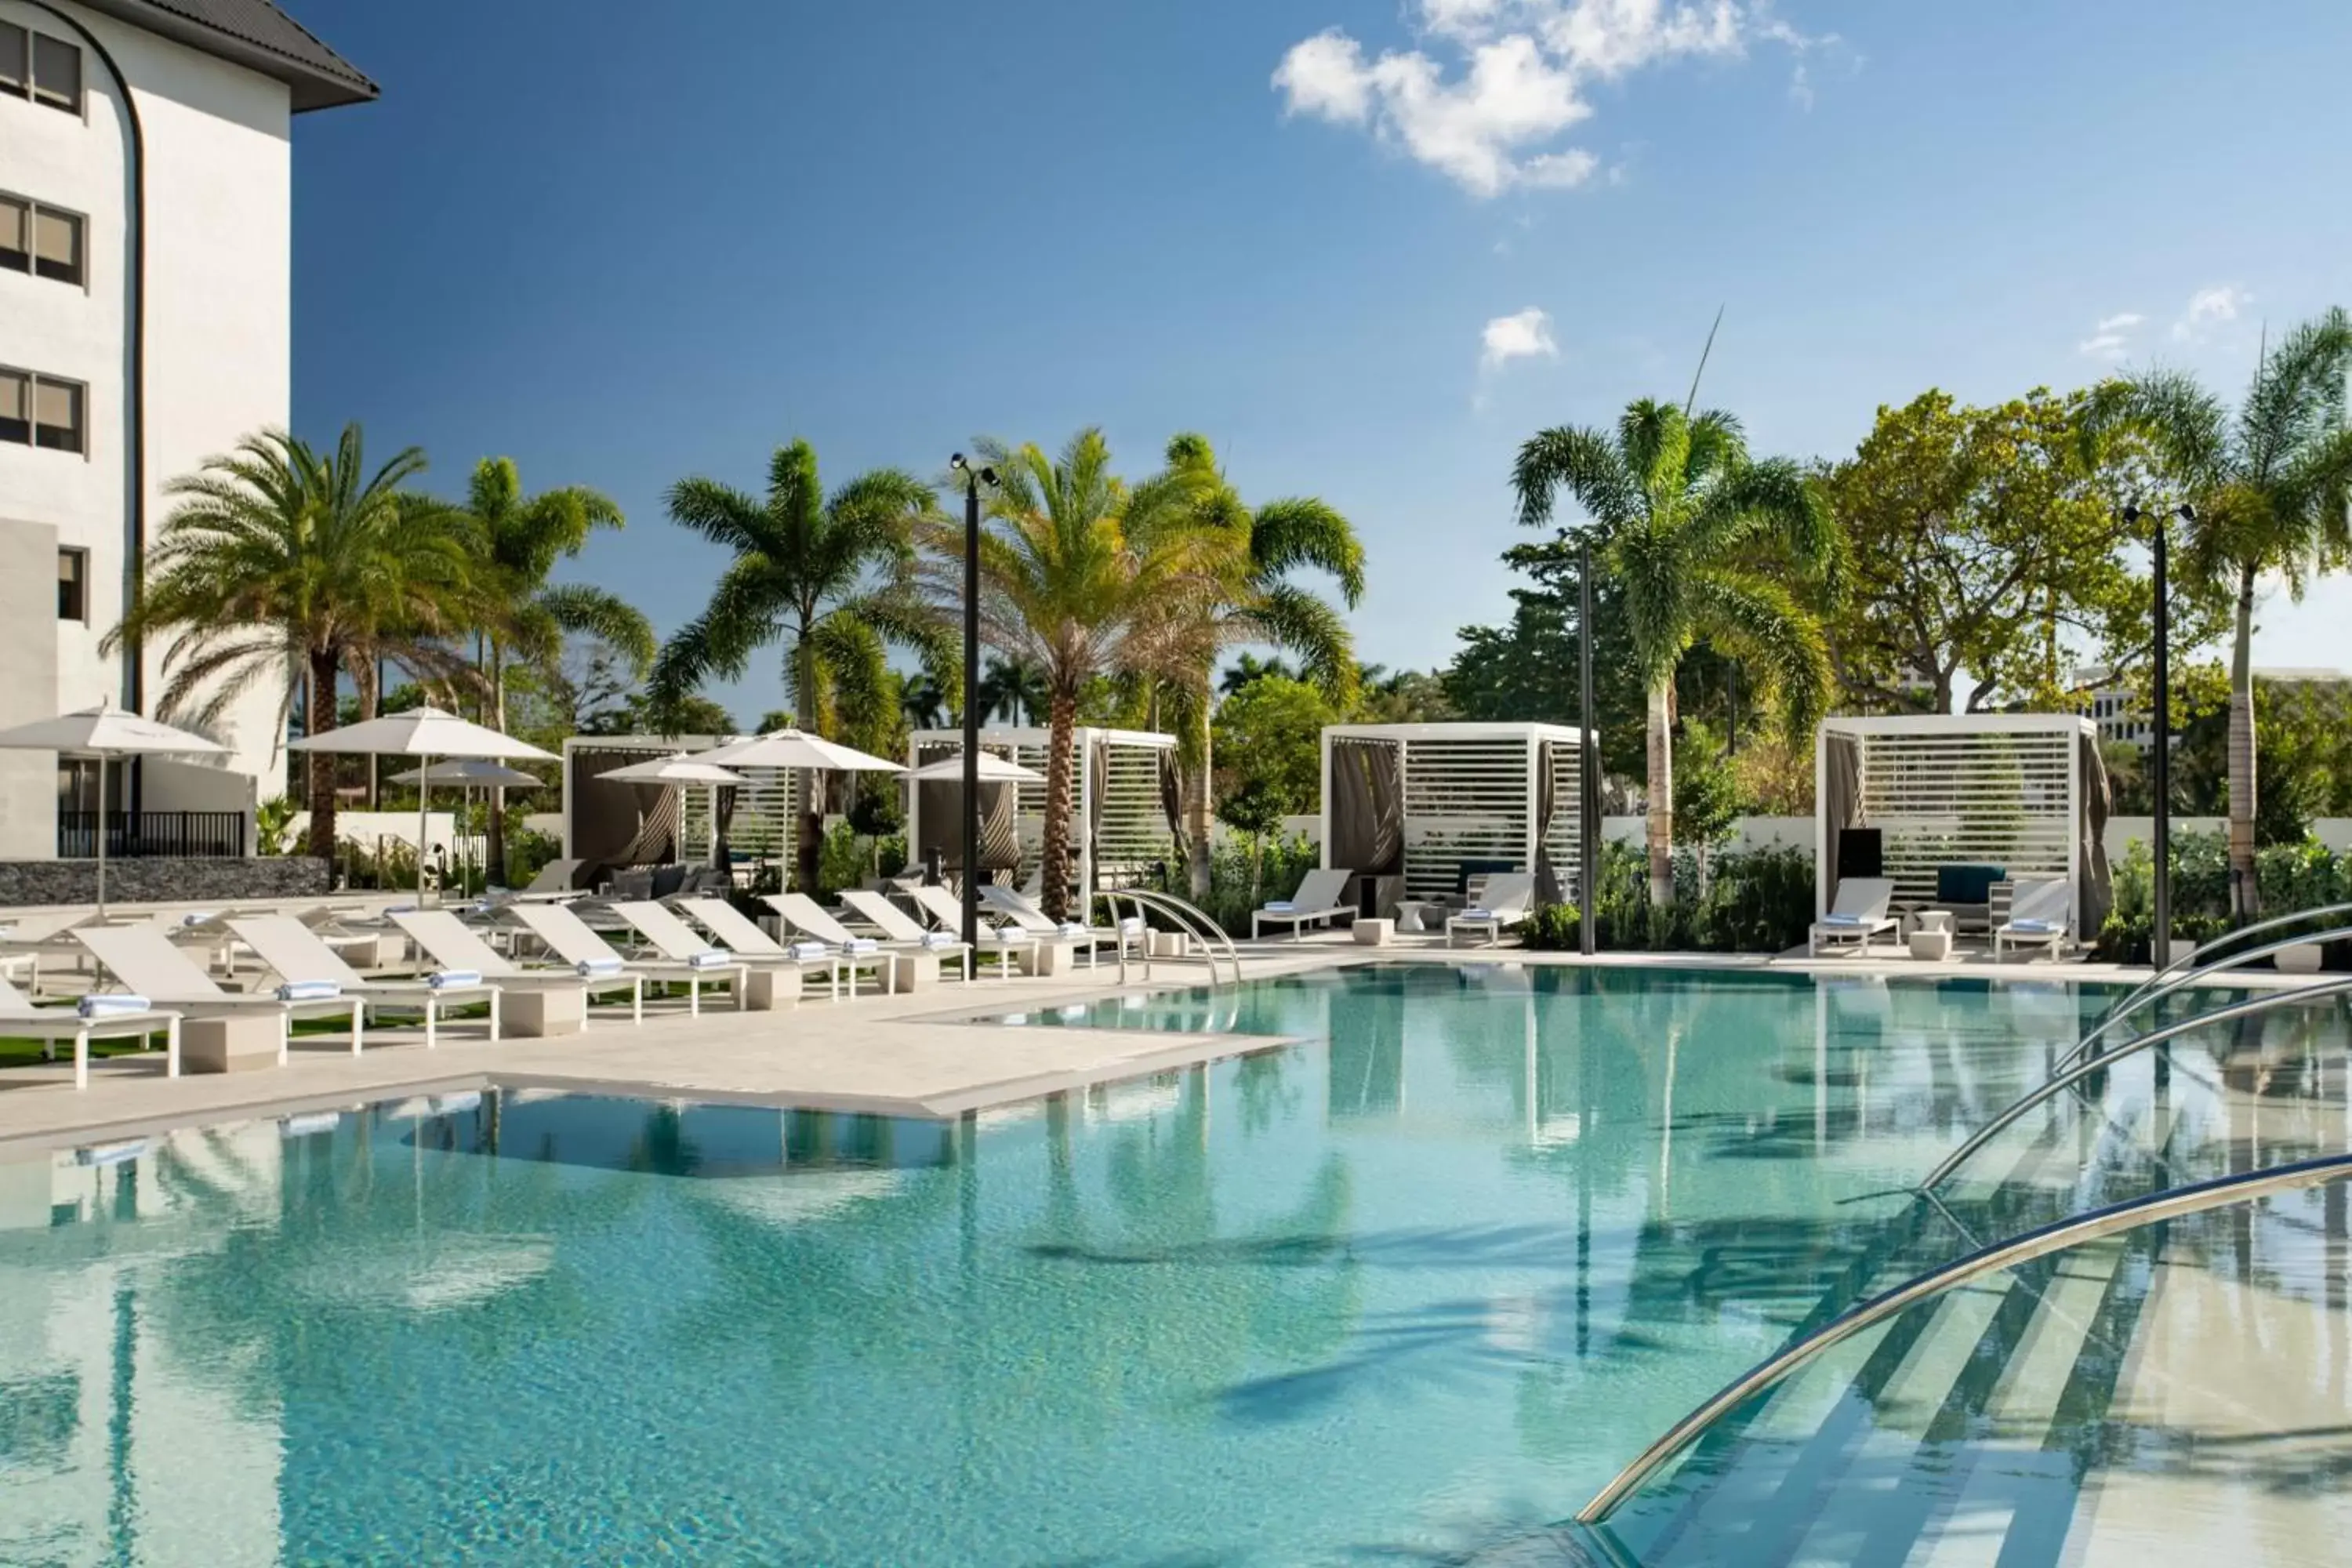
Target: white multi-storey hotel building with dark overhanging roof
{"points": [[145, 326]]}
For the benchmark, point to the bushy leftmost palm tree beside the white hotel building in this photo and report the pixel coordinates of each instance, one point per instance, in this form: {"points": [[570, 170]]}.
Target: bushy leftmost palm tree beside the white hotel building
{"points": [[283, 558]]}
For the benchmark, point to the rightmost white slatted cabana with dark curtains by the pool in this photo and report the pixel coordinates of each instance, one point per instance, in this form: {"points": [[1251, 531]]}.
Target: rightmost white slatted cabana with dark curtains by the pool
{"points": [[1906, 796]]}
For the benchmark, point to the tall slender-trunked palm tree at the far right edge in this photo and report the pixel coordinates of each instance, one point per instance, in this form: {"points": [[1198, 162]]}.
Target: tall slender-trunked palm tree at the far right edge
{"points": [[2266, 490]]}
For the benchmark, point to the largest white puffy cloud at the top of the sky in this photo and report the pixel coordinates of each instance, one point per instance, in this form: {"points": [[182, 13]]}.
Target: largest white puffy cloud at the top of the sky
{"points": [[1492, 119]]}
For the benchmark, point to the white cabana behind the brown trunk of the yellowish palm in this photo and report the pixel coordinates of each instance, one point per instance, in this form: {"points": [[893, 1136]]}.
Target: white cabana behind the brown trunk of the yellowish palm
{"points": [[1123, 822]]}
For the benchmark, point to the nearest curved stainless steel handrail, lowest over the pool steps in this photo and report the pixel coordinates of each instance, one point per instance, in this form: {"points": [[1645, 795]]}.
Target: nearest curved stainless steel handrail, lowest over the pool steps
{"points": [[2026, 1247]]}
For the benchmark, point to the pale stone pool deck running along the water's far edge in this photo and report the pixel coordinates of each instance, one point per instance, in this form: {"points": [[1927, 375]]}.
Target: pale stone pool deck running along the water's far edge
{"points": [[921, 1054]]}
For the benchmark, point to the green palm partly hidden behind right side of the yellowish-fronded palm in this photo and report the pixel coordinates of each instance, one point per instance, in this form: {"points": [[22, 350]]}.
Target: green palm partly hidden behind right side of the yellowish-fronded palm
{"points": [[1259, 605]]}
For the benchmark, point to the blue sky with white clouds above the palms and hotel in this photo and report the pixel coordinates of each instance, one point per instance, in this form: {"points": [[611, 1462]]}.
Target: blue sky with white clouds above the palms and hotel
{"points": [[629, 246]]}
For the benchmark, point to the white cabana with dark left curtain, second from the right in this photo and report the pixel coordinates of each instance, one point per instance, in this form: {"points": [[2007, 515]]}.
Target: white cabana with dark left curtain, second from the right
{"points": [[1431, 805]]}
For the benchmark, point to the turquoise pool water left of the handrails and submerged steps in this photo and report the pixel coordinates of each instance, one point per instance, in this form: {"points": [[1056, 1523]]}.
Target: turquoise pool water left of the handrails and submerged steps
{"points": [[1370, 1301]]}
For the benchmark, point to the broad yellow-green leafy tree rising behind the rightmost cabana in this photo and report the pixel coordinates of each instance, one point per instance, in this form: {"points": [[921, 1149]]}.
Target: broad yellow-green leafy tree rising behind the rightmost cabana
{"points": [[1984, 544]]}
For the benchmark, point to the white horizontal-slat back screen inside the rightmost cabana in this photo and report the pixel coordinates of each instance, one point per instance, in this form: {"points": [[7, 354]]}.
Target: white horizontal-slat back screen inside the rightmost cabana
{"points": [[1989, 798]]}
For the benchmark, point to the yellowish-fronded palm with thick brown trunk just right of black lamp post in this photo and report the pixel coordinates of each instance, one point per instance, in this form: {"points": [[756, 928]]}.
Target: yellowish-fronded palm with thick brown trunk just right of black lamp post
{"points": [[1081, 577]]}
